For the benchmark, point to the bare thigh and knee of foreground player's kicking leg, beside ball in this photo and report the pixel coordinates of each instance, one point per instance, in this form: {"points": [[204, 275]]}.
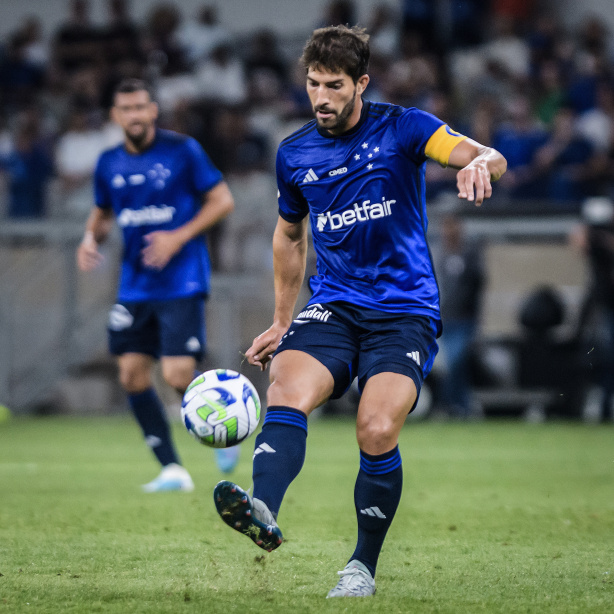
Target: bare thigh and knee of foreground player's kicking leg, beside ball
{"points": [[299, 381]]}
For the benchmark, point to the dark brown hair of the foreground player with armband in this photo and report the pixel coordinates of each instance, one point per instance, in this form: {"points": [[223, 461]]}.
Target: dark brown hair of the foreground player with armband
{"points": [[338, 49]]}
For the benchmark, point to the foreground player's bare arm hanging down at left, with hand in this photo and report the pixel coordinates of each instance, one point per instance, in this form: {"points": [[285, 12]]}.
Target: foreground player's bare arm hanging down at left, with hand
{"points": [[289, 261]]}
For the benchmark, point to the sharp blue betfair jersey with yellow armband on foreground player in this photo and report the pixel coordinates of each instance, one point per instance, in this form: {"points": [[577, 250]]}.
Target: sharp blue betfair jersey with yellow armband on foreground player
{"points": [[365, 193]]}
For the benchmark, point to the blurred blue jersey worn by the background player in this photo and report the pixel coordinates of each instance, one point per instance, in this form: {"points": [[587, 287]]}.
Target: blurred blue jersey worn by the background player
{"points": [[158, 189]]}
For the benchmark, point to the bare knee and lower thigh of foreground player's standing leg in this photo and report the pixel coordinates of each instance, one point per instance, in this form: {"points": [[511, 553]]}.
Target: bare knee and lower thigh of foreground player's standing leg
{"points": [[386, 400]]}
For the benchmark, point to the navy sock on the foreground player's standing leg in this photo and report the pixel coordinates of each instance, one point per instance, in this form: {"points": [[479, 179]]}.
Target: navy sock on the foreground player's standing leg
{"points": [[376, 496]]}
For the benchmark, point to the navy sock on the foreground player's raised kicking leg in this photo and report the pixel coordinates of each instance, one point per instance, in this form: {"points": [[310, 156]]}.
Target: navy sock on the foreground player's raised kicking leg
{"points": [[279, 454]]}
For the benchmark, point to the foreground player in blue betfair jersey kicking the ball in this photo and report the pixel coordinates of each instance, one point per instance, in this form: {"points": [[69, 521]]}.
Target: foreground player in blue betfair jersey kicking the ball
{"points": [[356, 172]]}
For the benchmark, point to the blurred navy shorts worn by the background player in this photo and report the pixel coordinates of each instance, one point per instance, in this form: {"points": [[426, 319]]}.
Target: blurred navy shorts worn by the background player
{"points": [[159, 328]]}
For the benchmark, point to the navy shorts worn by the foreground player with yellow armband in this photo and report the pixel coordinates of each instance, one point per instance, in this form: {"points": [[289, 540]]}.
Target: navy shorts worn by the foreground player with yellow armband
{"points": [[351, 342]]}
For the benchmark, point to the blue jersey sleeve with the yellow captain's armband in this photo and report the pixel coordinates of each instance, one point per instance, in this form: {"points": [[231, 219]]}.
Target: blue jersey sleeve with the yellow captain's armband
{"points": [[426, 136]]}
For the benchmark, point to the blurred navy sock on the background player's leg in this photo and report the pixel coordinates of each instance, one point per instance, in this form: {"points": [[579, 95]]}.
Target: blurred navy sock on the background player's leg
{"points": [[149, 413]]}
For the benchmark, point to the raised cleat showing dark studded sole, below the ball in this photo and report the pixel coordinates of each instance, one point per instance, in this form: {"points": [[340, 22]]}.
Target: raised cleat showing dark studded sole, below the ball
{"points": [[246, 515]]}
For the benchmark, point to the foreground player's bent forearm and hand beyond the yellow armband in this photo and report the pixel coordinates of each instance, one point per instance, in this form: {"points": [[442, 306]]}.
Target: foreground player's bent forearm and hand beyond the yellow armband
{"points": [[479, 166]]}
